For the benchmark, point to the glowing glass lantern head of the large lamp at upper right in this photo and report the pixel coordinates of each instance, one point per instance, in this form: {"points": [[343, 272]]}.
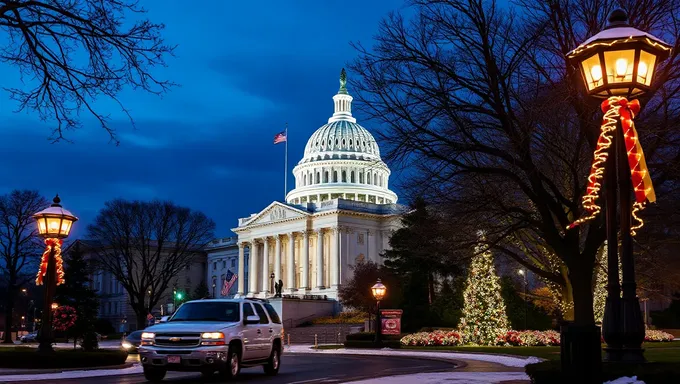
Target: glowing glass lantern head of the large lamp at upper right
{"points": [[620, 60]]}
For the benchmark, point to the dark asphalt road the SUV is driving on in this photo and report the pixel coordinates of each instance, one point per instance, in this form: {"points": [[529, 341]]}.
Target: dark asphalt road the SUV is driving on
{"points": [[303, 368]]}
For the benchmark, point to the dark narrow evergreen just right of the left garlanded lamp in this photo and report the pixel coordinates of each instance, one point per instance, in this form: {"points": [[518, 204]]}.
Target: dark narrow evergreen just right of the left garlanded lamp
{"points": [[77, 293]]}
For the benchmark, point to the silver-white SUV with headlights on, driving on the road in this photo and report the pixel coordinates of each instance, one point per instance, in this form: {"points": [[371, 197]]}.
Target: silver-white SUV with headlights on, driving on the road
{"points": [[214, 335]]}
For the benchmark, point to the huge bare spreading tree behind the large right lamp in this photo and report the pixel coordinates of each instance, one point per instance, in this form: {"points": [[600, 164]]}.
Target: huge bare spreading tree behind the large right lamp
{"points": [[480, 102]]}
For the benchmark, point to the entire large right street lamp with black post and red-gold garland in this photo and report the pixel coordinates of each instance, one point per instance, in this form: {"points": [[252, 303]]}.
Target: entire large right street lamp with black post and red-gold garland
{"points": [[618, 64]]}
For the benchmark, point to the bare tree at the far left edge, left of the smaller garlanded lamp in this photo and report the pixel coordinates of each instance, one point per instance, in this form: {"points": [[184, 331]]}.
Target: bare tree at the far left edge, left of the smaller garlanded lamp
{"points": [[20, 246]]}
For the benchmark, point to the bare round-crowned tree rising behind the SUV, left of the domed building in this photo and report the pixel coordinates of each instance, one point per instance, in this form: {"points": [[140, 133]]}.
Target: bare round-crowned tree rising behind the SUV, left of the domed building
{"points": [[144, 245]]}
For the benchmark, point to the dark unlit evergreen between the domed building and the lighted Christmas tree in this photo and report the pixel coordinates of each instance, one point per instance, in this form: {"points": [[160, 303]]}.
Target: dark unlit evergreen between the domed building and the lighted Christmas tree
{"points": [[421, 256]]}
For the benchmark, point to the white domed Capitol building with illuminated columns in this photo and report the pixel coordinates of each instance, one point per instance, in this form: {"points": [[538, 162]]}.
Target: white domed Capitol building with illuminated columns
{"points": [[340, 212]]}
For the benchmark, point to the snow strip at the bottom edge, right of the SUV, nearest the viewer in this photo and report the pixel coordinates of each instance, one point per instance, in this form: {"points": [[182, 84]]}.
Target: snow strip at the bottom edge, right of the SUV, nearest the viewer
{"points": [[449, 378]]}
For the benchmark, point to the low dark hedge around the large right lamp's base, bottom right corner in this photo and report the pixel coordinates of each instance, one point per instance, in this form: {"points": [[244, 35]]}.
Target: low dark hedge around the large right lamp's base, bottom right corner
{"points": [[549, 372]]}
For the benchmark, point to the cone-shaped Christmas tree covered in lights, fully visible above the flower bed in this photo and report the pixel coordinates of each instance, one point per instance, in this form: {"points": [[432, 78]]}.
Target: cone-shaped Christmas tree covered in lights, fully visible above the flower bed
{"points": [[484, 317]]}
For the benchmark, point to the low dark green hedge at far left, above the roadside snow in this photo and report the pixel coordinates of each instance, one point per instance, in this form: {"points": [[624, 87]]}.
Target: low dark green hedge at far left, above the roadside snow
{"points": [[24, 357]]}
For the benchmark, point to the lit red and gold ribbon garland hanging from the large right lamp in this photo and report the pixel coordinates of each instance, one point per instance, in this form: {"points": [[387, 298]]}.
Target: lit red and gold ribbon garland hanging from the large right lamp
{"points": [[618, 109]]}
